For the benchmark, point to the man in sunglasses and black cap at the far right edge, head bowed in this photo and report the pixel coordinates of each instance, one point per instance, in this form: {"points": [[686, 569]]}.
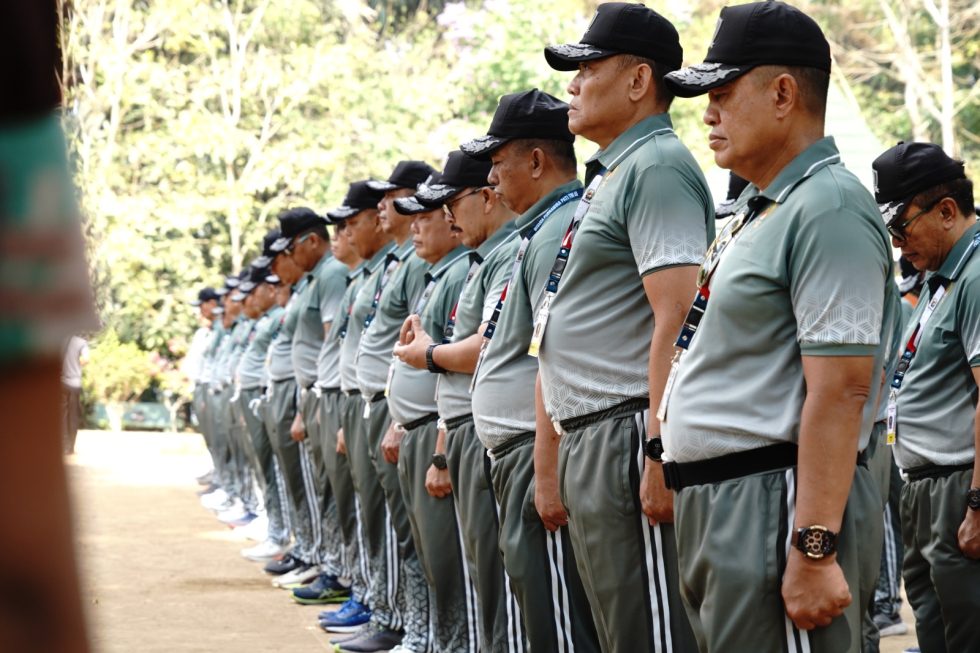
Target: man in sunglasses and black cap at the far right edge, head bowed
{"points": [[933, 411]]}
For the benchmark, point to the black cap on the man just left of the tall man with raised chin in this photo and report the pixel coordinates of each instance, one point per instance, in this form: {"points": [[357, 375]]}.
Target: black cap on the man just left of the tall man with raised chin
{"points": [[530, 114]]}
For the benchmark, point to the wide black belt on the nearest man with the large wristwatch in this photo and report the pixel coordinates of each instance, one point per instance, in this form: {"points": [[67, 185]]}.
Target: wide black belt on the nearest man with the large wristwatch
{"points": [[678, 476]]}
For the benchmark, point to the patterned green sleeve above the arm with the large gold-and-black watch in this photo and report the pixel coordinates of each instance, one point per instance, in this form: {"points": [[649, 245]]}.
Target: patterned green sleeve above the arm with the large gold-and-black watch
{"points": [[838, 266]]}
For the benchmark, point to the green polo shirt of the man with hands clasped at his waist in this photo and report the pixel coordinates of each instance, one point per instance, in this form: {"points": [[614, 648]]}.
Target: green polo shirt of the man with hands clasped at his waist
{"points": [[474, 307]]}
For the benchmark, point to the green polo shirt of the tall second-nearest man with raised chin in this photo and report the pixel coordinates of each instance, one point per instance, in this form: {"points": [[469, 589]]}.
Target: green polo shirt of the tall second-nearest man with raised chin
{"points": [[652, 211]]}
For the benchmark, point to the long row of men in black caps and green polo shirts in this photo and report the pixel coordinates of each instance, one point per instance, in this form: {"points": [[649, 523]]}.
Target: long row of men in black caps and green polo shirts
{"points": [[448, 404]]}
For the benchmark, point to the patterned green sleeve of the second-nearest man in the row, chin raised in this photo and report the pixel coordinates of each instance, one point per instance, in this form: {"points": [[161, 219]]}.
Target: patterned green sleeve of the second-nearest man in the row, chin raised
{"points": [[665, 220]]}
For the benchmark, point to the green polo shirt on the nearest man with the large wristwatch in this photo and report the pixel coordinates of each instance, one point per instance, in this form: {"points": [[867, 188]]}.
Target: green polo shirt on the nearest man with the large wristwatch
{"points": [[811, 276]]}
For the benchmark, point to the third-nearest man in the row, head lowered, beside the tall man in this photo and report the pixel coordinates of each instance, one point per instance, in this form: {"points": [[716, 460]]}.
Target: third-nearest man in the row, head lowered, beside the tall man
{"points": [[534, 177]]}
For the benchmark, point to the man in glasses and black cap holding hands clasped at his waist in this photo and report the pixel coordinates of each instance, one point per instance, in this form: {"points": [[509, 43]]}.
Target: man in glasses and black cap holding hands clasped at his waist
{"points": [[459, 463]]}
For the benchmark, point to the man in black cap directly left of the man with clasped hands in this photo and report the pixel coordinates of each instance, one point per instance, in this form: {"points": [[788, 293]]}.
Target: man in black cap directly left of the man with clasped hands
{"points": [[431, 521]]}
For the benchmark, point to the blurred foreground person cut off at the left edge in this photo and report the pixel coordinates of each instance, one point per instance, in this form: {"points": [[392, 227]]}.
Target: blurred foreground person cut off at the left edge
{"points": [[44, 298]]}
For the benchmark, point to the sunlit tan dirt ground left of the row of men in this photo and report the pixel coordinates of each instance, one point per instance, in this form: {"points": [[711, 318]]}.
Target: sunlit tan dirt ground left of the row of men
{"points": [[160, 574]]}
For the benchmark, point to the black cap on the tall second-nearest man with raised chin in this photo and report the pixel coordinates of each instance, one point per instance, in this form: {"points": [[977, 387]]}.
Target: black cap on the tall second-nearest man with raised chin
{"points": [[621, 28]]}
